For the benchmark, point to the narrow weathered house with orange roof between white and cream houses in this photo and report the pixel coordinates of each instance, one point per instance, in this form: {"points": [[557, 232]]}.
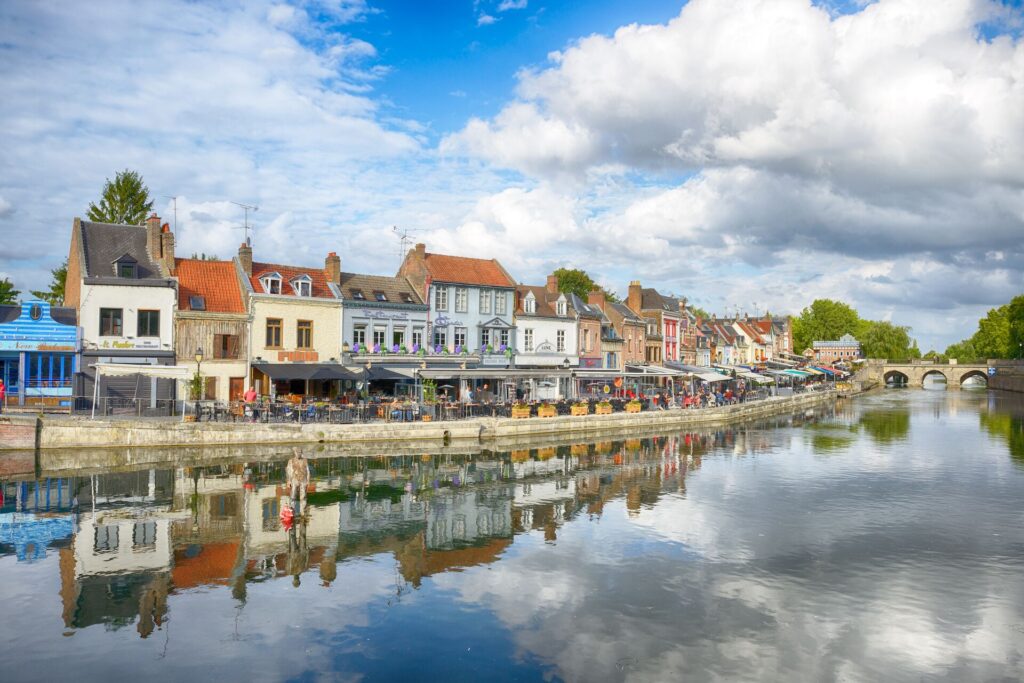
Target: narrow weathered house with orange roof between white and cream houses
{"points": [[212, 318]]}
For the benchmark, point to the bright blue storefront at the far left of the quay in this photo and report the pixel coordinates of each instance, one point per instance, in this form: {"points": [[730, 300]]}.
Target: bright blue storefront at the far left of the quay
{"points": [[39, 354]]}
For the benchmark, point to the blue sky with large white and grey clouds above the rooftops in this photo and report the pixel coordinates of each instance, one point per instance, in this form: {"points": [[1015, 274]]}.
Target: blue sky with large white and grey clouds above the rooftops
{"points": [[750, 155]]}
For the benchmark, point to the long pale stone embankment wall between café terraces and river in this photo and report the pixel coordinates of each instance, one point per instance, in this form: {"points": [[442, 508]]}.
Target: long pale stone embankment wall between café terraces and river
{"points": [[46, 434]]}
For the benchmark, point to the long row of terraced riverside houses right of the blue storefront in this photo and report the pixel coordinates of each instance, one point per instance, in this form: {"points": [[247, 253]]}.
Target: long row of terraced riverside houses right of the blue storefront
{"points": [[318, 330]]}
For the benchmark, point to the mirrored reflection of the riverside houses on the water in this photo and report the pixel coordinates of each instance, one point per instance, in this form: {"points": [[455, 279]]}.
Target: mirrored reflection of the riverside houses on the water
{"points": [[129, 543]]}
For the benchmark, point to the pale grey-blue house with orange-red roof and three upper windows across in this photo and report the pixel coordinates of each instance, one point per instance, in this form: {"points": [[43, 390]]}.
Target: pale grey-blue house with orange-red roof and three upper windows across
{"points": [[472, 302]]}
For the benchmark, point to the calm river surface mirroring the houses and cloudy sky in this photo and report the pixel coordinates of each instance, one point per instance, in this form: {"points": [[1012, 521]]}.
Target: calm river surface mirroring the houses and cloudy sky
{"points": [[883, 540]]}
